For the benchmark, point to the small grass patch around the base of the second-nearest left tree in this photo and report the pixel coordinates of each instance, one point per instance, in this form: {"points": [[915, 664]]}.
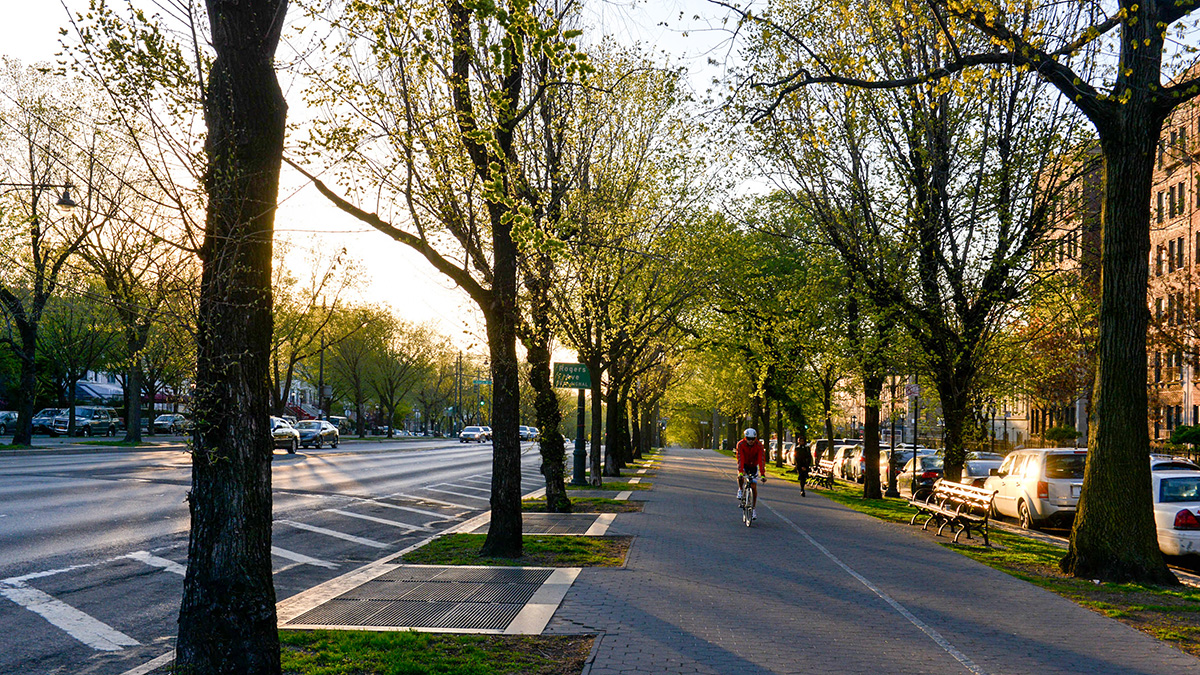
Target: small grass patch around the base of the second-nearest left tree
{"points": [[539, 552]]}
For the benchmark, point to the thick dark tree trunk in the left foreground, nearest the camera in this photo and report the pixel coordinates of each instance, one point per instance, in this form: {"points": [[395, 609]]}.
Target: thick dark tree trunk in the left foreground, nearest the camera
{"points": [[227, 620]]}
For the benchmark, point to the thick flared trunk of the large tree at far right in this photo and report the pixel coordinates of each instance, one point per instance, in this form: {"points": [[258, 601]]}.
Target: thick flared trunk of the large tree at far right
{"points": [[1114, 535]]}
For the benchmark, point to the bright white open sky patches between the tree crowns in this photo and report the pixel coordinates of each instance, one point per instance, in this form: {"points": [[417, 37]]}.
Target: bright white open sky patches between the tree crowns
{"points": [[398, 277]]}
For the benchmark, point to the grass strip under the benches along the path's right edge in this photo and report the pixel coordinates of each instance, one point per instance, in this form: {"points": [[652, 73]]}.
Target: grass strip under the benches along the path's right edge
{"points": [[1168, 614]]}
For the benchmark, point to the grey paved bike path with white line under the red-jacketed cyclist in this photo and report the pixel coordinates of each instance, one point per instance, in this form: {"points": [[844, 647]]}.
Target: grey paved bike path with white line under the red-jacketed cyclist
{"points": [[817, 588]]}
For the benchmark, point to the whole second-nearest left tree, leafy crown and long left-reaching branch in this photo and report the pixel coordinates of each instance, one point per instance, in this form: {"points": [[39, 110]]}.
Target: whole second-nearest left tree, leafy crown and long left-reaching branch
{"points": [[454, 86]]}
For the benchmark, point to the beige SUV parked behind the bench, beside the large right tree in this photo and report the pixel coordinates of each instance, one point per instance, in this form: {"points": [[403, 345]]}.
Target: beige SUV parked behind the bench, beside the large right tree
{"points": [[1040, 487]]}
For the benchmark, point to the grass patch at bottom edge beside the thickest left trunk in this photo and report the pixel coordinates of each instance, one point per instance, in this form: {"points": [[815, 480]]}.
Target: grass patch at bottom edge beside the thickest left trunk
{"points": [[361, 653]]}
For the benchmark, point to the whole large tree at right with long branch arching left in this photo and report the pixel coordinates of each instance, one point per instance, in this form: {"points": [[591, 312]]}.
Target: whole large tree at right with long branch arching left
{"points": [[1113, 537]]}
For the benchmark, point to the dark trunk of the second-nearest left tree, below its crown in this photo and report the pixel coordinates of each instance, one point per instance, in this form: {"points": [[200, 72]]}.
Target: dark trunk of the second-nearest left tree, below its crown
{"points": [[505, 533]]}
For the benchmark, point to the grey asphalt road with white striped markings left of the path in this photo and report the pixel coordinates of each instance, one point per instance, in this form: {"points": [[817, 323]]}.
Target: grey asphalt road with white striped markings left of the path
{"points": [[94, 542]]}
